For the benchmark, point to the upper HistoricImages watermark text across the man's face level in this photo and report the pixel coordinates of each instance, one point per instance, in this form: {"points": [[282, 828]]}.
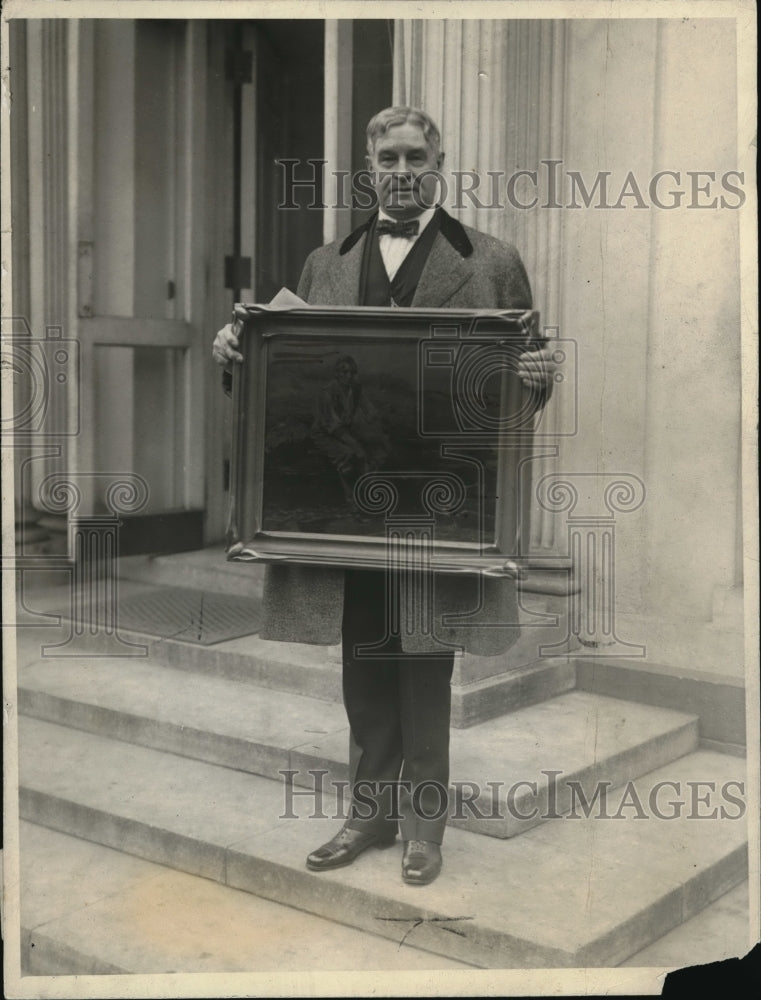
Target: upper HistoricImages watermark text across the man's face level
{"points": [[306, 183]]}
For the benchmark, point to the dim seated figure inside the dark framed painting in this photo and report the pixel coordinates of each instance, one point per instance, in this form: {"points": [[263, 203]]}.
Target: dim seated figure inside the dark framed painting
{"points": [[347, 428]]}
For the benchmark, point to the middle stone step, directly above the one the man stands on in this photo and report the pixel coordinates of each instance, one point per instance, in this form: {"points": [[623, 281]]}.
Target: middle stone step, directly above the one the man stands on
{"points": [[578, 737]]}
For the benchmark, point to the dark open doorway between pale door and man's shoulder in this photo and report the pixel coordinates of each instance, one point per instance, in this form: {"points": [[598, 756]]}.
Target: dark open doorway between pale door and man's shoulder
{"points": [[265, 104]]}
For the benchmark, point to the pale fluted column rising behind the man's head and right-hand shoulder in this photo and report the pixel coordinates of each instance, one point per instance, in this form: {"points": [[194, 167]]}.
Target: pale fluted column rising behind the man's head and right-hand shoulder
{"points": [[496, 89]]}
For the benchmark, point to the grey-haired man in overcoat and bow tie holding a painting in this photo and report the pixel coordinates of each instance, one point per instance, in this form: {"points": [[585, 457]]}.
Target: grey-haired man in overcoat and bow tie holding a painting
{"points": [[410, 253]]}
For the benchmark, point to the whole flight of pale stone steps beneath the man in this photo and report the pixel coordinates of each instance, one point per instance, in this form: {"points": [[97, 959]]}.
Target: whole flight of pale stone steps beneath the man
{"points": [[176, 759]]}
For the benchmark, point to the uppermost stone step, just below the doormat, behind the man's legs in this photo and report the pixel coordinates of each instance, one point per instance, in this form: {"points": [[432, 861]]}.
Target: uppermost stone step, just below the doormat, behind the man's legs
{"points": [[482, 687]]}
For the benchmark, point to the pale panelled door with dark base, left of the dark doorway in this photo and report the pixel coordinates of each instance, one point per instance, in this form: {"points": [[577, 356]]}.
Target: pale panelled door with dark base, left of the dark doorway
{"points": [[139, 273]]}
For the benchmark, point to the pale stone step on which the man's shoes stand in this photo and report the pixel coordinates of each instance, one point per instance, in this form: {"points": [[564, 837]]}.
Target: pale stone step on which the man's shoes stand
{"points": [[573, 893]]}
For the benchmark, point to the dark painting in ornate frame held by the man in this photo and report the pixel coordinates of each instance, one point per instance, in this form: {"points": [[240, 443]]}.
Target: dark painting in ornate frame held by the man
{"points": [[364, 436]]}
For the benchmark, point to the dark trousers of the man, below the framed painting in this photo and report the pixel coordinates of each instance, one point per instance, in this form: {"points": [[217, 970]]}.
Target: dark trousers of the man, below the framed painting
{"points": [[398, 706]]}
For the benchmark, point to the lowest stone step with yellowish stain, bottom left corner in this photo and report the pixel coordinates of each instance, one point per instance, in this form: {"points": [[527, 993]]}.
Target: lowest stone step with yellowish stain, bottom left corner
{"points": [[88, 910]]}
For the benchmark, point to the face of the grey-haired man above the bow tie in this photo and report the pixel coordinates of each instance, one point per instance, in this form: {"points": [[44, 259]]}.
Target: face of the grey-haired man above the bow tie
{"points": [[404, 165]]}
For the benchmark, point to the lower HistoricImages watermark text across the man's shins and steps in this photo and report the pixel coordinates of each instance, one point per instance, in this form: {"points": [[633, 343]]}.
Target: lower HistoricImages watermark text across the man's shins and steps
{"points": [[552, 796]]}
